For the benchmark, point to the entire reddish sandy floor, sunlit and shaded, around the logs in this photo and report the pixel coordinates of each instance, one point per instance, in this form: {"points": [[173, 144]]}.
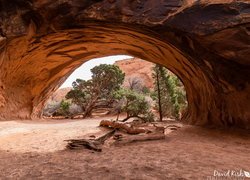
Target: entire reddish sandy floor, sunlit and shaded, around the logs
{"points": [[34, 150]]}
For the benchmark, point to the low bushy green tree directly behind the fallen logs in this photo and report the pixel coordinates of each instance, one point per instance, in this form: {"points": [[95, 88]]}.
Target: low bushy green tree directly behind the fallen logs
{"points": [[134, 104]]}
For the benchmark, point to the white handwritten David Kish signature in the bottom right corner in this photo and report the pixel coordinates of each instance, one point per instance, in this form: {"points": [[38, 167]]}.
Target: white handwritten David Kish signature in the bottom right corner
{"points": [[230, 174]]}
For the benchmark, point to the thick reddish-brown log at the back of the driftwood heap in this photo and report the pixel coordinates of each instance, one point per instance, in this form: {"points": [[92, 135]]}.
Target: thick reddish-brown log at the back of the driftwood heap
{"points": [[123, 127]]}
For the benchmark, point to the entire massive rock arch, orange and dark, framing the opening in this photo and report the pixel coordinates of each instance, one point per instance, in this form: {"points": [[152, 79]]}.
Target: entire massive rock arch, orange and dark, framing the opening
{"points": [[205, 43]]}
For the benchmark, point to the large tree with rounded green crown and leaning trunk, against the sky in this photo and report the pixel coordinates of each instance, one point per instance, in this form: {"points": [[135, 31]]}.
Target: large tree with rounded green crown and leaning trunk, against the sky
{"points": [[90, 94]]}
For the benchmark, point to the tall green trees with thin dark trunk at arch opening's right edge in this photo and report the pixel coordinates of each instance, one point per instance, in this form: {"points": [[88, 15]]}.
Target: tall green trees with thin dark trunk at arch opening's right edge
{"points": [[168, 92]]}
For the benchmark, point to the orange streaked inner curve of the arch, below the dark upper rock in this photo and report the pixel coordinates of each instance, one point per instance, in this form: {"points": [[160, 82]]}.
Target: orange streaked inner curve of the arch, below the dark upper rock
{"points": [[42, 63]]}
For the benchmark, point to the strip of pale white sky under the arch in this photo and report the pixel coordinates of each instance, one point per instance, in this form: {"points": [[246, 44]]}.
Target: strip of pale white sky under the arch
{"points": [[83, 72]]}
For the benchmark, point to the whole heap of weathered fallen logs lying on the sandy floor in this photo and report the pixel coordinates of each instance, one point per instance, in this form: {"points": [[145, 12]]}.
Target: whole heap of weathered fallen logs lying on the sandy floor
{"points": [[127, 134]]}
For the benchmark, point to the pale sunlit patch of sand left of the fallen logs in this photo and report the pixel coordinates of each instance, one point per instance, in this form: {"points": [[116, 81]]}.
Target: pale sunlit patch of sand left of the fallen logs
{"points": [[43, 136]]}
